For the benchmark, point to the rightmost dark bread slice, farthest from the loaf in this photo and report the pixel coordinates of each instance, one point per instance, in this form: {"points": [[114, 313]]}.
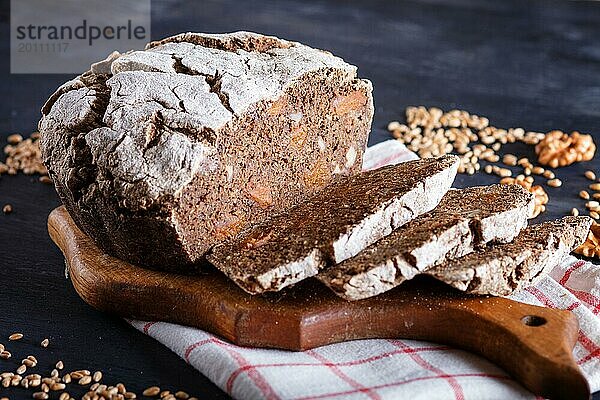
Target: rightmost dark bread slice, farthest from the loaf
{"points": [[501, 269]]}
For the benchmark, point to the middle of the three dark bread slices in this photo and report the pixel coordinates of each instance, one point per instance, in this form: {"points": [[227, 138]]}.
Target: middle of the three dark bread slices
{"points": [[464, 219]]}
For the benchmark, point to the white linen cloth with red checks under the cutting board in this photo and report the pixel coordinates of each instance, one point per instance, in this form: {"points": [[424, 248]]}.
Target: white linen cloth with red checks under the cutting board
{"points": [[387, 369]]}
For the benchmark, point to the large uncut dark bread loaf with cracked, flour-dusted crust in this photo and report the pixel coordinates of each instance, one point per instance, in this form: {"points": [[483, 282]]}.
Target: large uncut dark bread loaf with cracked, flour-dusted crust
{"points": [[159, 154]]}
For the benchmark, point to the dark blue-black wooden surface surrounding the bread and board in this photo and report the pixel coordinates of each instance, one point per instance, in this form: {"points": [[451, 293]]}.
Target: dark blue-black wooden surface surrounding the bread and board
{"points": [[533, 64]]}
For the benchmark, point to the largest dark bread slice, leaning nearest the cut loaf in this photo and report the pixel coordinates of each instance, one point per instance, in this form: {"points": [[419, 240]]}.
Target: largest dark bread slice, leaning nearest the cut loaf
{"points": [[336, 224]]}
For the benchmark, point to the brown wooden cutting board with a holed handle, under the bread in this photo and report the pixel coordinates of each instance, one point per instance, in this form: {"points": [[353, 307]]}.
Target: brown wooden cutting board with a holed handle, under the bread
{"points": [[533, 344]]}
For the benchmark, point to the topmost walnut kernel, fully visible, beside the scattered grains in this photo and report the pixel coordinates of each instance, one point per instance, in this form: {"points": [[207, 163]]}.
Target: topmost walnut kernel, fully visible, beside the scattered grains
{"points": [[559, 149]]}
